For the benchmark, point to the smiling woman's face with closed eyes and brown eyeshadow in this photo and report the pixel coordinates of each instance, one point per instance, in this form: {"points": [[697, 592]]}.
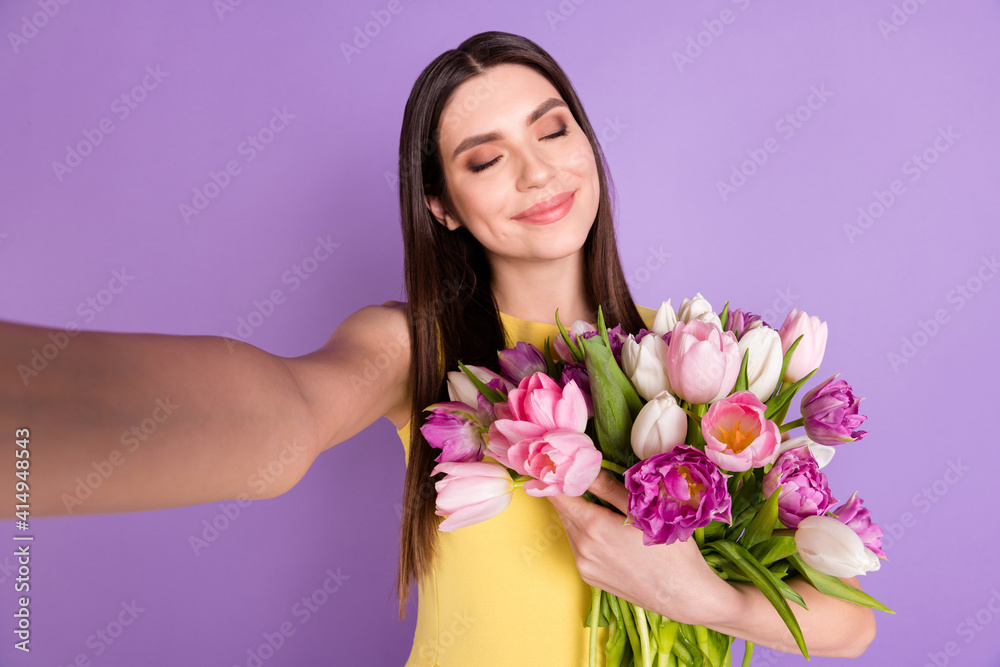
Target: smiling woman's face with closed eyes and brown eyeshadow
{"points": [[509, 142]]}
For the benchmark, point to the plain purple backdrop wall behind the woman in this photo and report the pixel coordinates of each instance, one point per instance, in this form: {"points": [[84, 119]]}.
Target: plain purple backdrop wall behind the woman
{"points": [[671, 133]]}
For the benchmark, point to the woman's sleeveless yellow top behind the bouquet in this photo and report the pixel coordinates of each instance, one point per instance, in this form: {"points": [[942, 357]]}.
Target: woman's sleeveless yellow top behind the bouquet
{"points": [[506, 591]]}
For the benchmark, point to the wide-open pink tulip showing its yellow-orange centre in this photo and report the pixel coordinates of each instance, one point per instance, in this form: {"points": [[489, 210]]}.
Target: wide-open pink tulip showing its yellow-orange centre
{"points": [[737, 436]]}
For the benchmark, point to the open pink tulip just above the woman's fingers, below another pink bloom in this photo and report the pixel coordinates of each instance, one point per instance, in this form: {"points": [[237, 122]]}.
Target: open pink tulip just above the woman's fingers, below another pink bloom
{"points": [[561, 461]]}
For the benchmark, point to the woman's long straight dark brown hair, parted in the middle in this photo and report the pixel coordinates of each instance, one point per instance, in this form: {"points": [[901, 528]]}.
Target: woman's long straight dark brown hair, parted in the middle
{"points": [[448, 282]]}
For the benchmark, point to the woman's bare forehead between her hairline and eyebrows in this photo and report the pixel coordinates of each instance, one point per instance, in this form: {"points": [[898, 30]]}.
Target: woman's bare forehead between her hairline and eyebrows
{"points": [[501, 97]]}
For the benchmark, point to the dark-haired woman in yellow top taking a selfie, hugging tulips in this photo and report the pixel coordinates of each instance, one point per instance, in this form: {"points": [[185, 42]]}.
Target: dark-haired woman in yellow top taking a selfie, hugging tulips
{"points": [[506, 216]]}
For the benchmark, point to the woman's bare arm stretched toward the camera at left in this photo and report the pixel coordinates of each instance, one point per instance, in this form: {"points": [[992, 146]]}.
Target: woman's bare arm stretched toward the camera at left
{"points": [[124, 422]]}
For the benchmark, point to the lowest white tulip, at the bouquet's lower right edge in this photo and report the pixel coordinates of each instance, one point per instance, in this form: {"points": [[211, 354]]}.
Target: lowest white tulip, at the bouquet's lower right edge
{"points": [[828, 546]]}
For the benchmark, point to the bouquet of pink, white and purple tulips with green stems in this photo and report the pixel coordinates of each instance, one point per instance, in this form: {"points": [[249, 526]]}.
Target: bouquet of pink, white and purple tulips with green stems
{"points": [[691, 414]]}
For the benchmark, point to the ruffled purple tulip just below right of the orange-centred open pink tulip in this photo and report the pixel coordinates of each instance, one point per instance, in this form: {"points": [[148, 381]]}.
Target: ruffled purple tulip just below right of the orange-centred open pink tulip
{"points": [[804, 488]]}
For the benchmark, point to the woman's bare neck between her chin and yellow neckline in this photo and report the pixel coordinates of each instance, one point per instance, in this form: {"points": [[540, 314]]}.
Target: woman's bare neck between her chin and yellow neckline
{"points": [[533, 290]]}
